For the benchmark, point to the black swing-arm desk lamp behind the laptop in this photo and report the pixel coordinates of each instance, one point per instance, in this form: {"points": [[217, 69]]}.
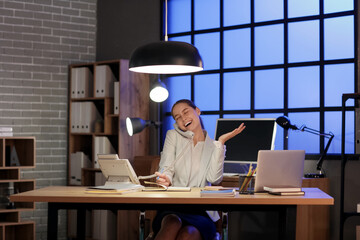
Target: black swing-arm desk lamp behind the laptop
{"points": [[284, 122]]}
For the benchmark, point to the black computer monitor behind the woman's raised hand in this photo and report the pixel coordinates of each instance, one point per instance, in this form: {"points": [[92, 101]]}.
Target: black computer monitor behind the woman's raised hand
{"points": [[259, 134]]}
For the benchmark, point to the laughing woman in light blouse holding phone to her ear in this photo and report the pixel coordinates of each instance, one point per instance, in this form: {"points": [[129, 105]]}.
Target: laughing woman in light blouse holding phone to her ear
{"points": [[190, 158]]}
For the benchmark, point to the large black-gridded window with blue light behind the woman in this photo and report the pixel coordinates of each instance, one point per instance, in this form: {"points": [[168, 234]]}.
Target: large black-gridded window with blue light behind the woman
{"points": [[267, 59]]}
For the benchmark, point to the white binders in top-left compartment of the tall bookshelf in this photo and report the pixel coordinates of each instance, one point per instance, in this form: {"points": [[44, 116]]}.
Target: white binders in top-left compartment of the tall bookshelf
{"points": [[81, 82]]}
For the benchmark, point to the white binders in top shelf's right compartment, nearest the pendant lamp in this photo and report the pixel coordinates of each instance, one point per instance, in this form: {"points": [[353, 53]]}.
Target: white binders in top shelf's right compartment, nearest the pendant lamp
{"points": [[104, 81]]}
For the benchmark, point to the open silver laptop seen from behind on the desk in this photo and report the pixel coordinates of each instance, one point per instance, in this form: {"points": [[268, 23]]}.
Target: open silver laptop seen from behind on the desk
{"points": [[278, 168]]}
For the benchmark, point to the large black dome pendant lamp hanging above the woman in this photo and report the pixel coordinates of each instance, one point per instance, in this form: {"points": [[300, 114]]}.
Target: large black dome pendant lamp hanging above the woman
{"points": [[166, 57]]}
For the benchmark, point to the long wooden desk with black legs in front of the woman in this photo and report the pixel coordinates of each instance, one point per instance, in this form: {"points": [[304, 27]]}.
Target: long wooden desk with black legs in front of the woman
{"points": [[65, 197]]}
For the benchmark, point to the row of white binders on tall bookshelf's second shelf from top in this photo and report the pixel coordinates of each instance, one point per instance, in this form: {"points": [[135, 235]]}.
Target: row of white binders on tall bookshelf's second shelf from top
{"points": [[84, 115]]}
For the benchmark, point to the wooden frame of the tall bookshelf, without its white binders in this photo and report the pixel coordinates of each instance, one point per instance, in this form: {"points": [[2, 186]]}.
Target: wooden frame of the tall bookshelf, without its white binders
{"points": [[133, 102]]}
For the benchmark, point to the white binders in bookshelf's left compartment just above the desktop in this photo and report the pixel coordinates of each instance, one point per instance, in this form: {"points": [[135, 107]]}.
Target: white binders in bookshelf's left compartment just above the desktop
{"points": [[78, 161]]}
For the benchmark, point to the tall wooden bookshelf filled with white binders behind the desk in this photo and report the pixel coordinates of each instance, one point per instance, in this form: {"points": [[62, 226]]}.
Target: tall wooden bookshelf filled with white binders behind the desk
{"points": [[111, 111]]}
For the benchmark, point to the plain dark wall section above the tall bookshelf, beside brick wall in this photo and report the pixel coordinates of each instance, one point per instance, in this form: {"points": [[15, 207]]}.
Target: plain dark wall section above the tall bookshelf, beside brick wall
{"points": [[123, 25]]}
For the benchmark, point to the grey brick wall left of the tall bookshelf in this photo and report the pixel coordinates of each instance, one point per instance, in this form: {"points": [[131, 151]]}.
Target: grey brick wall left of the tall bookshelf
{"points": [[38, 40]]}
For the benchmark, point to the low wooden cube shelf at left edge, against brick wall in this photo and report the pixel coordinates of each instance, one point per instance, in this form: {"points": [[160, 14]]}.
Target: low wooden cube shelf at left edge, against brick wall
{"points": [[11, 224]]}
